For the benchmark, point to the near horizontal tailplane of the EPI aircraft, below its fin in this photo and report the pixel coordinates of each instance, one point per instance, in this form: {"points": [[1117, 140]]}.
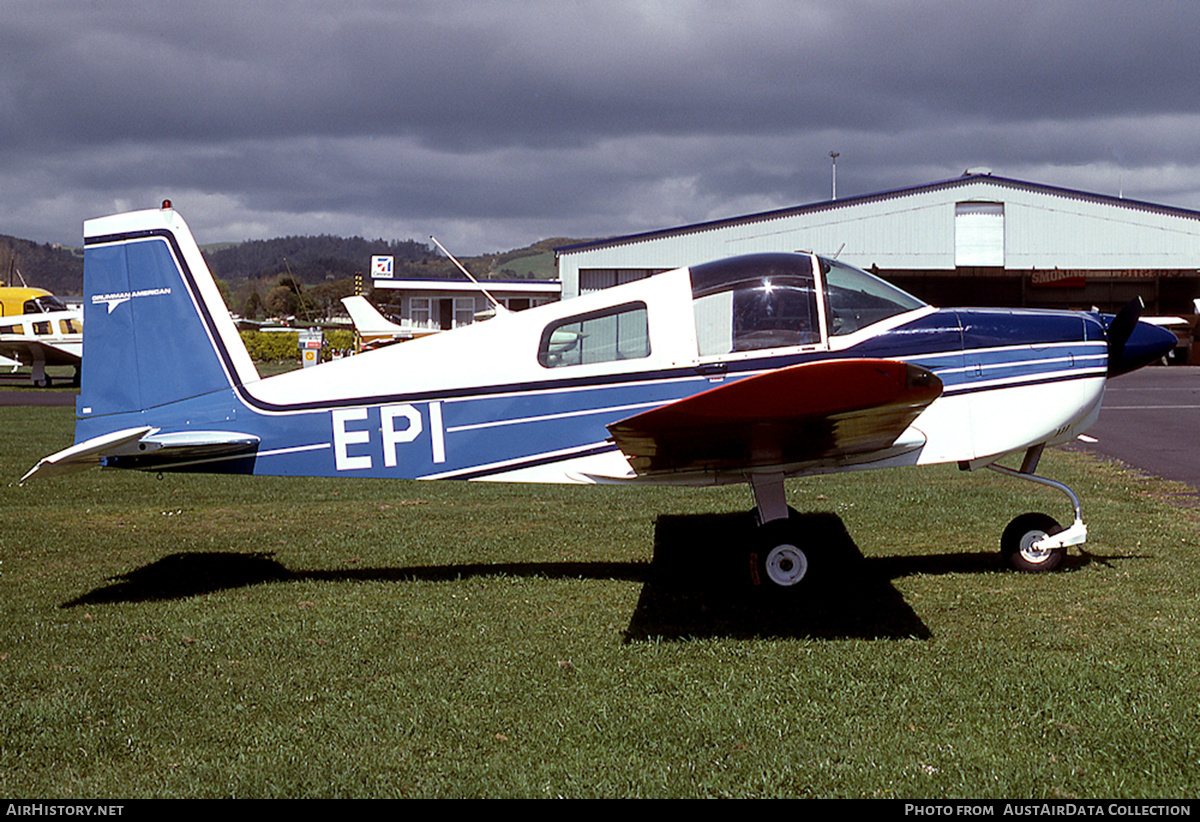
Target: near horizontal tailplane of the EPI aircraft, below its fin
{"points": [[142, 448]]}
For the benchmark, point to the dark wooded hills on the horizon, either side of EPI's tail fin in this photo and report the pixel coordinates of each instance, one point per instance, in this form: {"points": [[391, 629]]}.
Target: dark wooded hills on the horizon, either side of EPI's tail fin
{"points": [[309, 260]]}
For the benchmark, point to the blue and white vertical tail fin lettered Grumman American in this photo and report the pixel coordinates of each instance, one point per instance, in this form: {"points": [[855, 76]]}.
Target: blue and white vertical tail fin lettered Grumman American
{"points": [[158, 331]]}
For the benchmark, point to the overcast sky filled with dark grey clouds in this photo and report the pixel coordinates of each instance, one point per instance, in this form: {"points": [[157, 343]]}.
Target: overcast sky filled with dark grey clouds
{"points": [[496, 124]]}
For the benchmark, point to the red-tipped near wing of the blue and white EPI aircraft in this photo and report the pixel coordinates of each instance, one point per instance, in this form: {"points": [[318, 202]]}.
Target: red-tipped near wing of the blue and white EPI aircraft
{"points": [[808, 412]]}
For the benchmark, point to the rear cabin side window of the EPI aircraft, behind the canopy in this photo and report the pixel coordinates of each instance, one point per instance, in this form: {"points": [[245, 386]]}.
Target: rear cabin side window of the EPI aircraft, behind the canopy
{"points": [[621, 333]]}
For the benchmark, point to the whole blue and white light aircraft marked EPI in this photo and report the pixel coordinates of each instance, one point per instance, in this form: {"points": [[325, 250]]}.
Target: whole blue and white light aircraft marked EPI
{"points": [[749, 370]]}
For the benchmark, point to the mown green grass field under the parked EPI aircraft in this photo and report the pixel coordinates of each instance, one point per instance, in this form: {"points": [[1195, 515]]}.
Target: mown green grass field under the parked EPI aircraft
{"points": [[203, 637]]}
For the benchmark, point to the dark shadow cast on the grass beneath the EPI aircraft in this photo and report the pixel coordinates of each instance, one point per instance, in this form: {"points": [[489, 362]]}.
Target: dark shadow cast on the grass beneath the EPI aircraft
{"points": [[698, 584]]}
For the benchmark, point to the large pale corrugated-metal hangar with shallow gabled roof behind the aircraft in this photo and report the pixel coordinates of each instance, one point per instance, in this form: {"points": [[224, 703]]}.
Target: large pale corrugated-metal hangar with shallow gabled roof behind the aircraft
{"points": [[977, 239]]}
